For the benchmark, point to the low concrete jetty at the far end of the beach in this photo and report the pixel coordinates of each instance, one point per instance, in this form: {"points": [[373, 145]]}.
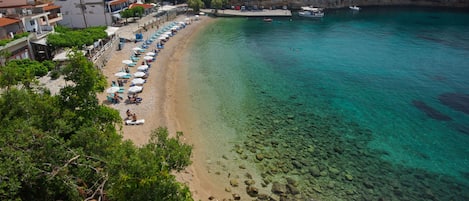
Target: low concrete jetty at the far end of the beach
{"points": [[249, 13]]}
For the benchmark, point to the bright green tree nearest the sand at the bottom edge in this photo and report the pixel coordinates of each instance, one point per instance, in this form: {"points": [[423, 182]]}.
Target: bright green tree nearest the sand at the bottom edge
{"points": [[144, 174]]}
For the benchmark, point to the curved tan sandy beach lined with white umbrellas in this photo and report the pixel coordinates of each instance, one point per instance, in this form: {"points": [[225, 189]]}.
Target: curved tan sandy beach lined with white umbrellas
{"points": [[163, 94]]}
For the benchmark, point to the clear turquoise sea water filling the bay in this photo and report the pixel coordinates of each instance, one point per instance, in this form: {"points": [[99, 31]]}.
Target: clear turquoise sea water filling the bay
{"points": [[355, 106]]}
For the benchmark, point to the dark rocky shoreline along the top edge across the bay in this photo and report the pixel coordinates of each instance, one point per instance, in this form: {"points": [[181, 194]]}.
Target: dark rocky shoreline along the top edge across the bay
{"points": [[296, 4]]}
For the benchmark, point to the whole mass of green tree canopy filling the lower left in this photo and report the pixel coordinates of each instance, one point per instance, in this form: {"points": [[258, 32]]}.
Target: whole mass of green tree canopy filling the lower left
{"points": [[66, 147]]}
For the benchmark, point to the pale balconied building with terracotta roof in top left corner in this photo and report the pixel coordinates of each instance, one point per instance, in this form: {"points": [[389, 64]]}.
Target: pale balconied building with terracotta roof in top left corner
{"points": [[25, 16]]}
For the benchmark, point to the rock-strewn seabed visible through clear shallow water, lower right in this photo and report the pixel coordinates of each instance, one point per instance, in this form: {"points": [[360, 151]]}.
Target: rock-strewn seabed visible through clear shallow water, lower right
{"points": [[301, 155]]}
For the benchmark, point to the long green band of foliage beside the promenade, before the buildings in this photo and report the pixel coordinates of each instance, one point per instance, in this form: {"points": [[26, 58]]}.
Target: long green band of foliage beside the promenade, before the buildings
{"points": [[65, 37]]}
